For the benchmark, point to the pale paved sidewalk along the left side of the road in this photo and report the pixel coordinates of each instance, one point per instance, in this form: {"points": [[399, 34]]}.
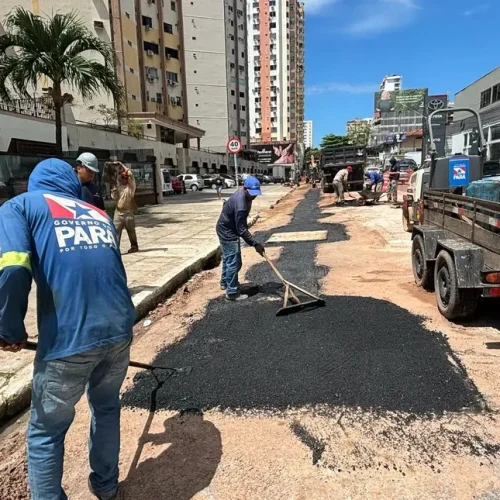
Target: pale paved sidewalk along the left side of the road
{"points": [[176, 239]]}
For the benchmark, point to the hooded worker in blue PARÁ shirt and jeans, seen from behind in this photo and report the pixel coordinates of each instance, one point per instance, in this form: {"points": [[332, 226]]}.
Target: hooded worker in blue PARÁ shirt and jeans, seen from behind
{"points": [[85, 320]]}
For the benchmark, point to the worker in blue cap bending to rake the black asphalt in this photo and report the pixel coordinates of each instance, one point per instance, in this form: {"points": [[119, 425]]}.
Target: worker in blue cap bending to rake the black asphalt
{"points": [[231, 226]]}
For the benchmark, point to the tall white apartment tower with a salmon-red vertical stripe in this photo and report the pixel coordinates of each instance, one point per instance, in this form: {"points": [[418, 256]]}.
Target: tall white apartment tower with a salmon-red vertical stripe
{"points": [[276, 70]]}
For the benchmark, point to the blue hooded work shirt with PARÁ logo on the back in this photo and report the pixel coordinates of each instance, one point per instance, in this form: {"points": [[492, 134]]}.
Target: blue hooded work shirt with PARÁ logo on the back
{"points": [[69, 248]]}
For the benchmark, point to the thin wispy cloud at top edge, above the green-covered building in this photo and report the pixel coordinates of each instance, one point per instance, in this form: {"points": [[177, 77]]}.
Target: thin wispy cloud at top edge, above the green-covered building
{"points": [[384, 15]]}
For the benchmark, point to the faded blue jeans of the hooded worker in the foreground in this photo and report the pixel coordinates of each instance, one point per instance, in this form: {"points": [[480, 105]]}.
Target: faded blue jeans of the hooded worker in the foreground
{"points": [[57, 386]]}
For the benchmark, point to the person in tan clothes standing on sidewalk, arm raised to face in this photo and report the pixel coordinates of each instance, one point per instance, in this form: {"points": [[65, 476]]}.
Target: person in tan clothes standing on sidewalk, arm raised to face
{"points": [[123, 193]]}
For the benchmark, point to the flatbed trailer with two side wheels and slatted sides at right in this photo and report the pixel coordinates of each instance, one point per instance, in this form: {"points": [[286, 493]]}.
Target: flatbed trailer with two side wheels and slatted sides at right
{"points": [[456, 251]]}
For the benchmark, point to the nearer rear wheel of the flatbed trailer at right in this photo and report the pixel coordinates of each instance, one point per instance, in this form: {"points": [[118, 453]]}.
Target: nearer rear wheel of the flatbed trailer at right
{"points": [[453, 302]]}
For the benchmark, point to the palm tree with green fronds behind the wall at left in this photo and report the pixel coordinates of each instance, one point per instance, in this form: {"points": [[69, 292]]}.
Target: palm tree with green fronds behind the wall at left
{"points": [[61, 49]]}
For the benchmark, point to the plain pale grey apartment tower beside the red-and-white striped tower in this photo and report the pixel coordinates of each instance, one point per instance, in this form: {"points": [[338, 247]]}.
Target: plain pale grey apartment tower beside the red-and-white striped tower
{"points": [[216, 69]]}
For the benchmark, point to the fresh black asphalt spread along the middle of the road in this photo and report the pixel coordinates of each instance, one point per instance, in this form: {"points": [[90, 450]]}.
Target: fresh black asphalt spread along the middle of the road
{"points": [[356, 352]]}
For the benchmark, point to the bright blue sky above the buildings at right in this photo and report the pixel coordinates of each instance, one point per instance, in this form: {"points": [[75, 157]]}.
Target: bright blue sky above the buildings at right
{"points": [[351, 45]]}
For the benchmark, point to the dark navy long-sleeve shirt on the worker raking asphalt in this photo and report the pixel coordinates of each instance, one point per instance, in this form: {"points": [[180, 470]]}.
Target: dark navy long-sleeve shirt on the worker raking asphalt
{"points": [[232, 223]]}
